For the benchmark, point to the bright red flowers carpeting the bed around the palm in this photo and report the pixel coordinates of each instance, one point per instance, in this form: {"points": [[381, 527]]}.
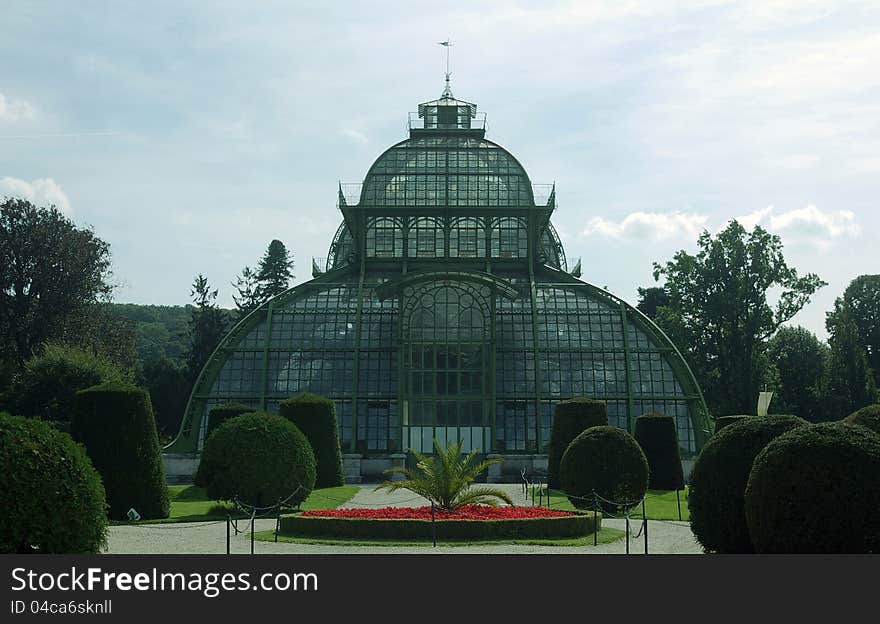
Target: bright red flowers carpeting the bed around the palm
{"points": [[468, 512]]}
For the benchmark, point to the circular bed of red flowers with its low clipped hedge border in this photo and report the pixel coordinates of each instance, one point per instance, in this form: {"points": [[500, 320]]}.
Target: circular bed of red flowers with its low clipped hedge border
{"points": [[475, 522]]}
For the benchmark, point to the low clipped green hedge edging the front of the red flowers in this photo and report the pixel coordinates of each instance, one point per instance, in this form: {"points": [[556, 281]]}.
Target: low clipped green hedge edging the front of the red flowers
{"points": [[576, 525]]}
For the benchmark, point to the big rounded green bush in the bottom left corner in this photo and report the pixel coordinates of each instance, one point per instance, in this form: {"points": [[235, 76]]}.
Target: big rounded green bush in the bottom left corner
{"points": [[53, 499]]}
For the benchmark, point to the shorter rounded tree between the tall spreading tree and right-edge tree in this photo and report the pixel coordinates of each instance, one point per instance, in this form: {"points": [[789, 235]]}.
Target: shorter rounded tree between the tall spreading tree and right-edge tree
{"points": [[797, 361]]}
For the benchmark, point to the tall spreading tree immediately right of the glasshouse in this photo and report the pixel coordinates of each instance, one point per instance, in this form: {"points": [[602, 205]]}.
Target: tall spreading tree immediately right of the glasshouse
{"points": [[719, 313]]}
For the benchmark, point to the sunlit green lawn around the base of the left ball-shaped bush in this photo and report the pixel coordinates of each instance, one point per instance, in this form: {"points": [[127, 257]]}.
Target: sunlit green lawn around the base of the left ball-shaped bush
{"points": [[190, 503]]}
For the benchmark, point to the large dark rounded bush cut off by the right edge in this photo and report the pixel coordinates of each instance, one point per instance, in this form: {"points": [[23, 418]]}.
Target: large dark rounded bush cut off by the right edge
{"points": [[816, 489]]}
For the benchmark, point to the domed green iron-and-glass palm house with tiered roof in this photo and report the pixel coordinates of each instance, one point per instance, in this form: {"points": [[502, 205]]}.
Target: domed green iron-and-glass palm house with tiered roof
{"points": [[446, 309]]}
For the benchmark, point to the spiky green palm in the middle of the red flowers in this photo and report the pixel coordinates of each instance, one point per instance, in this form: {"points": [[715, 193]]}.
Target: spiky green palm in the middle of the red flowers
{"points": [[445, 478]]}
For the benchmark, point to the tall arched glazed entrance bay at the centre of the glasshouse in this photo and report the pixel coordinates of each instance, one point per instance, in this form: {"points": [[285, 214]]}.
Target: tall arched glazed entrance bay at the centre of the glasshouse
{"points": [[445, 366]]}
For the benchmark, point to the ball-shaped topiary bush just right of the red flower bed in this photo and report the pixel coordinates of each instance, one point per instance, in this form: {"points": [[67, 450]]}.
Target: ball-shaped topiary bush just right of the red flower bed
{"points": [[605, 460]]}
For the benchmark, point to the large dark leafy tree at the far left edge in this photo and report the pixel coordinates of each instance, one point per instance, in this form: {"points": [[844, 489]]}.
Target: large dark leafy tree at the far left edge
{"points": [[51, 275]]}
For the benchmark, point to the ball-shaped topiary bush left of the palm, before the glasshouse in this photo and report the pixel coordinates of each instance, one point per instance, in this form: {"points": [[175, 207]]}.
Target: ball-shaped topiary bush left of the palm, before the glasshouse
{"points": [[259, 458]]}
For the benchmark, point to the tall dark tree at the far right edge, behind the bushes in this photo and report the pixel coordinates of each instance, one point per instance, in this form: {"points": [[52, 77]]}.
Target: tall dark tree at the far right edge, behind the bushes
{"points": [[849, 385]]}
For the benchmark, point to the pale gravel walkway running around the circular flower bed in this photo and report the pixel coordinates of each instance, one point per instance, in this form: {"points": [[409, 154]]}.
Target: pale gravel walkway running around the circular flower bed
{"points": [[210, 537]]}
